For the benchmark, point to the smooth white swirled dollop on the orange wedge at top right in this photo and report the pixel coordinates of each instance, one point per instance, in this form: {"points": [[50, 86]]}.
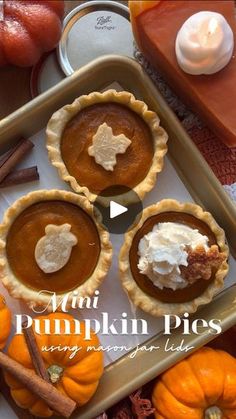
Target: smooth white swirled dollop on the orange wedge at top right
{"points": [[204, 44]]}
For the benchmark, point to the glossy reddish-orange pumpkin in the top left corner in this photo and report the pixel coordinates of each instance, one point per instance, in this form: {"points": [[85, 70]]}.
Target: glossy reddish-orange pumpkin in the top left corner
{"points": [[28, 29]]}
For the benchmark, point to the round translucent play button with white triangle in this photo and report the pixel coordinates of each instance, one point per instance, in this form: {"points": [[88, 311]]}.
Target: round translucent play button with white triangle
{"points": [[119, 208]]}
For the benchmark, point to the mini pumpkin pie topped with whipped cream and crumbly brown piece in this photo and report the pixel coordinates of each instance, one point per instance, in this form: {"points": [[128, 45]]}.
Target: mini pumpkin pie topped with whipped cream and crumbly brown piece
{"points": [[174, 260]]}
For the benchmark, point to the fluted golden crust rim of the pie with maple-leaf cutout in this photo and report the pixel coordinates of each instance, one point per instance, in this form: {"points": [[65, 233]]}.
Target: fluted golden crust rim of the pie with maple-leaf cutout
{"points": [[60, 118]]}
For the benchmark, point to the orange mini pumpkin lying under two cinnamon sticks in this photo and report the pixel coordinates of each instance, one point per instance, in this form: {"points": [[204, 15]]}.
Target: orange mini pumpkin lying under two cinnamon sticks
{"points": [[77, 377]]}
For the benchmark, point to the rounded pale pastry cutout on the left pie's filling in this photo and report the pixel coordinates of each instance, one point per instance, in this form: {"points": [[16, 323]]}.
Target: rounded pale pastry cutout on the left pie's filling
{"points": [[53, 250]]}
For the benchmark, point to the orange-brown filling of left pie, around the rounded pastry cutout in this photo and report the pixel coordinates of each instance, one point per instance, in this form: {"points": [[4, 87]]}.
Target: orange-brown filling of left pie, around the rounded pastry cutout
{"points": [[27, 230]]}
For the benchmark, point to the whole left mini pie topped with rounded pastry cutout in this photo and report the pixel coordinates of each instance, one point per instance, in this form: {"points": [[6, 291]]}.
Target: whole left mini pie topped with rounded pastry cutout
{"points": [[50, 241]]}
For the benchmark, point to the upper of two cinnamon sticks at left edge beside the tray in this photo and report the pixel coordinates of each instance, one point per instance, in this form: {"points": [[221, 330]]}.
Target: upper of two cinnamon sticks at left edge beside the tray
{"points": [[15, 156]]}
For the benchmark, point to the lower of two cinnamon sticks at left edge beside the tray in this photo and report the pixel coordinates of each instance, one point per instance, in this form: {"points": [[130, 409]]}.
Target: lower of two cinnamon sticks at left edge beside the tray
{"points": [[20, 176]]}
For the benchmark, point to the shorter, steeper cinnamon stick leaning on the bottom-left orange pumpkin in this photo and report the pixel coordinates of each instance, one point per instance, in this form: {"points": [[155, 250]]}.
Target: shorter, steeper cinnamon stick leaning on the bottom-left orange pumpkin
{"points": [[35, 353]]}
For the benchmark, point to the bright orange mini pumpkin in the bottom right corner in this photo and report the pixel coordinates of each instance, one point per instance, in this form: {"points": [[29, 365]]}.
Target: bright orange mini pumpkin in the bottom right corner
{"points": [[201, 386]]}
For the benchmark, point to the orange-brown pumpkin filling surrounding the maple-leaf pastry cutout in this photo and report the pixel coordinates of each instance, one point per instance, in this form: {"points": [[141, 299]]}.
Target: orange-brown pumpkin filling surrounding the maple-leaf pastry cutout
{"points": [[131, 167]]}
